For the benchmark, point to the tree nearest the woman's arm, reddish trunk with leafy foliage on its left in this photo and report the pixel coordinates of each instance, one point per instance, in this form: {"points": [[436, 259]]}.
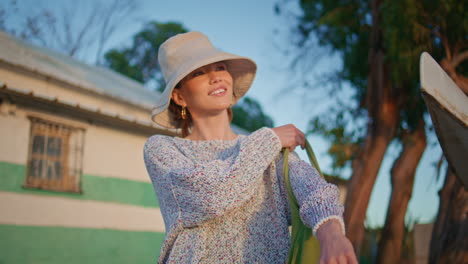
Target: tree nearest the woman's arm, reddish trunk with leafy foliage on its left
{"points": [[354, 30]]}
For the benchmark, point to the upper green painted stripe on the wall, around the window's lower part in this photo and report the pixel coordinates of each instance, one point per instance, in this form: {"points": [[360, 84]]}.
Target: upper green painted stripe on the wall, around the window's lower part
{"points": [[97, 188]]}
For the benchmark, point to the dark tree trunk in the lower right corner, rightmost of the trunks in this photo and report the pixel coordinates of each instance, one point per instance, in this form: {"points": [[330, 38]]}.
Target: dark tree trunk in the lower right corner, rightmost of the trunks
{"points": [[449, 243]]}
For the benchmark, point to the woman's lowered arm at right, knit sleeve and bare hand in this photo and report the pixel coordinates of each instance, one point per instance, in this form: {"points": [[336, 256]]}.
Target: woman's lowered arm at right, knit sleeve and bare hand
{"points": [[320, 209]]}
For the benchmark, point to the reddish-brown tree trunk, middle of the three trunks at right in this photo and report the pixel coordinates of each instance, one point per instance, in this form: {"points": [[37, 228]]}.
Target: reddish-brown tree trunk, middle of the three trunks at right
{"points": [[404, 168]]}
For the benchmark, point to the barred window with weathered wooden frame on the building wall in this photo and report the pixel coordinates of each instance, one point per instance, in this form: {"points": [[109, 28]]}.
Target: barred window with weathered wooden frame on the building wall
{"points": [[55, 156]]}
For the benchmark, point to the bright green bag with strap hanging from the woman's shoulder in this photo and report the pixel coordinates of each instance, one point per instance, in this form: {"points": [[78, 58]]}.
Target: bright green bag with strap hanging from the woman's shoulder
{"points": [[300, 233]]}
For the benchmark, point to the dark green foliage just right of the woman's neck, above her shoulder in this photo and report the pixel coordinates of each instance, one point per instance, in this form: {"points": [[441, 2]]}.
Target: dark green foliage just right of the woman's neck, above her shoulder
{"points": [[249, 115]]}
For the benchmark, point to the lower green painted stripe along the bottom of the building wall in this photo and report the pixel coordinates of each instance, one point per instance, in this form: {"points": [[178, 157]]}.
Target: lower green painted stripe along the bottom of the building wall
{"points": [[50, 245]]}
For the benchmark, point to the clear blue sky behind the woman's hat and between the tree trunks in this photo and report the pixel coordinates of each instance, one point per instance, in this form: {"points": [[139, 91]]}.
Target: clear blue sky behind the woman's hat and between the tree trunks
{"points": [[247, 28]]}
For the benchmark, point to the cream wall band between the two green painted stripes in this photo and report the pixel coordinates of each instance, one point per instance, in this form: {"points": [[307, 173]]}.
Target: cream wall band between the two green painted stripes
{"points": [[40, 210]]}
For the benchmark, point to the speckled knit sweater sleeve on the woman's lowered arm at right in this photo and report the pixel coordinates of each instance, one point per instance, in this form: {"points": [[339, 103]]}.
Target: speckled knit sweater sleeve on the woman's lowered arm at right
{"points": [[318, 200]]}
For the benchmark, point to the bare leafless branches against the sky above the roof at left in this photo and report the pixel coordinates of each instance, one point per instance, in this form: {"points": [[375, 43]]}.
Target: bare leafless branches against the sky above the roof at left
{"points": [[74, 28]]}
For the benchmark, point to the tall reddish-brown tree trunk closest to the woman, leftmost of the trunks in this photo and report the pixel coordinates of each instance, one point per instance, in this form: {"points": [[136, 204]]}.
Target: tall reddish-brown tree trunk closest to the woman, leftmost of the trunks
{"points": [[383, 120]]}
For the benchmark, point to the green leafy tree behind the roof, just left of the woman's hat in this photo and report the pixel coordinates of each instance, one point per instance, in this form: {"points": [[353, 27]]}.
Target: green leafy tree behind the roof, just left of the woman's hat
{"points": [[140, 61]]}
